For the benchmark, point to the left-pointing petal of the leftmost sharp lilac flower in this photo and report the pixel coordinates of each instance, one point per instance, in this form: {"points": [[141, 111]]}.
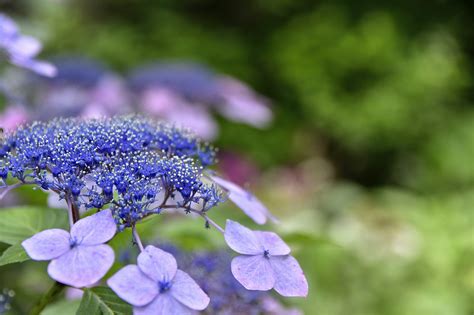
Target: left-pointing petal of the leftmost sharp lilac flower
{"points": [[47, 245]]}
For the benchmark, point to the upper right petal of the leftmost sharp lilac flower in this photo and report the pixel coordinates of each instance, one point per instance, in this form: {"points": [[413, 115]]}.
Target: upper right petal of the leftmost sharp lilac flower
{"points": [[95, 229]]}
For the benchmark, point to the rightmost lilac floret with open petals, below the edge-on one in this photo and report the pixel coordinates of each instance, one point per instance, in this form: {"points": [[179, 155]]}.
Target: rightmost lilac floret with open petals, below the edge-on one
{"points": [[265, 262]]}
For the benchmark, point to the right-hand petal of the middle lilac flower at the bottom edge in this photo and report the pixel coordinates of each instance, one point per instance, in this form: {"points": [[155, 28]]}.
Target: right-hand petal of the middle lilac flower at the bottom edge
{"points": [[188, 292]]}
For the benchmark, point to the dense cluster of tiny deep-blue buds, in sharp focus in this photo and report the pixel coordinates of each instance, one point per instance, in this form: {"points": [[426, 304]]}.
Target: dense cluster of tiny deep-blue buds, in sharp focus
{"points": [[130, 164]]}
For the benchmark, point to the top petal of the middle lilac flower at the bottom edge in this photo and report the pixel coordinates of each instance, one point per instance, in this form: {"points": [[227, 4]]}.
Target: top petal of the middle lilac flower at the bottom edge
{"points": [[157, 264]]}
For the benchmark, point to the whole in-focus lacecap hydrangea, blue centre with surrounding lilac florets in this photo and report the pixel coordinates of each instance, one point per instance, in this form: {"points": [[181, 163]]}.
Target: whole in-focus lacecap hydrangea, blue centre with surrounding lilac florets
{"points": [[127, 168]]}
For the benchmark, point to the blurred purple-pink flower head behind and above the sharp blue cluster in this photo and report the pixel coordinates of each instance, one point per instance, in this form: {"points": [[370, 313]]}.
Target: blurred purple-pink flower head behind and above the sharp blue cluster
{"points": [[180, 91]]}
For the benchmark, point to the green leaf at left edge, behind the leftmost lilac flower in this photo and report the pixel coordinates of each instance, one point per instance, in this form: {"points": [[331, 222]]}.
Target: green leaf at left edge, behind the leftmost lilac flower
{"points": [[17, 224]]}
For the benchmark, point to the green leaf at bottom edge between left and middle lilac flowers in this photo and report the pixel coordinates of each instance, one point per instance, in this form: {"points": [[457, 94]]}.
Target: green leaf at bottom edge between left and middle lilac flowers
{"points": [[102, 301]]}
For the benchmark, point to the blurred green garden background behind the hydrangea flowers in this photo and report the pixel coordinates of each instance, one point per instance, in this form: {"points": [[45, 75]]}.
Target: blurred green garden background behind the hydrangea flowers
{"points": [[368, 161]]}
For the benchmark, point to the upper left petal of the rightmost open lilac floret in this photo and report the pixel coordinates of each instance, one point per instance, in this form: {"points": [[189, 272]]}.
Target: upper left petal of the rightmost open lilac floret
{"points": [[241, 239]]}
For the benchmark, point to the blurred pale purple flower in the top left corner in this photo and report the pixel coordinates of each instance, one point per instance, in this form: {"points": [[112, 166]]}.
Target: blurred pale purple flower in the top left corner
{"points": [[22, 49]]}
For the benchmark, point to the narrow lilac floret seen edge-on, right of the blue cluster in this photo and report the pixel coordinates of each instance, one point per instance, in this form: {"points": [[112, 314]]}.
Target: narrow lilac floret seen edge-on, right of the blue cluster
{"points": [[246, 201]]}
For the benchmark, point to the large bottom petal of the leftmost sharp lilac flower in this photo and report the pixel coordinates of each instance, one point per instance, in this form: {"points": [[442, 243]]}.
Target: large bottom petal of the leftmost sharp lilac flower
{"points": [[82, 266]]}
